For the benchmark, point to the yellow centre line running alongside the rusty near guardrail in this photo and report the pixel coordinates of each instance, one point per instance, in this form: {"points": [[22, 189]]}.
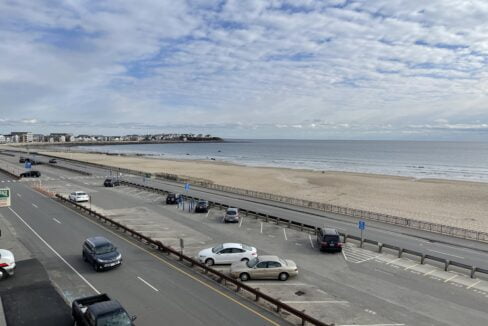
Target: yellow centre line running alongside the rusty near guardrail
{"points": [[196, 279]]}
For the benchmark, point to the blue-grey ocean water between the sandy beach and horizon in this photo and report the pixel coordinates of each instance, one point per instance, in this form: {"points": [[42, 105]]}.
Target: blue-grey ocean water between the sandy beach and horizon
{"points": [[419, 159]]}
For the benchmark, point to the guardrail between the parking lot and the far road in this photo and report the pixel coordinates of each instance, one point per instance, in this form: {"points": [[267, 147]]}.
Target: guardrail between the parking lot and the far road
{"points": [[312, 228]]}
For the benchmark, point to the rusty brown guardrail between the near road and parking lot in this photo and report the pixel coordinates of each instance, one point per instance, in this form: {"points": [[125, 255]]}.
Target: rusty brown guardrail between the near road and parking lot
{"points": [[279, 306]]}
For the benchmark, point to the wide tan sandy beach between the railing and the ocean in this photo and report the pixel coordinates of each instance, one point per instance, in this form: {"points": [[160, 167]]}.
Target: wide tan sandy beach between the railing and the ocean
{"points": [[456, 203]]}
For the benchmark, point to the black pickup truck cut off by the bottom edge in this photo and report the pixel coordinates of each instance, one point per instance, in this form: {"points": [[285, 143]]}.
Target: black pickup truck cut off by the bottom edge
{"points": [[100, 310]]}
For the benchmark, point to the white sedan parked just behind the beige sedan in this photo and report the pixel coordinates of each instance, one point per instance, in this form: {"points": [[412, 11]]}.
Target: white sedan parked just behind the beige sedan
{"points": [[227, 253]]}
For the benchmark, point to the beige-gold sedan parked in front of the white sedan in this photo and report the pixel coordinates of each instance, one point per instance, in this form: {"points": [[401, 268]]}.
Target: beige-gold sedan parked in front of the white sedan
{"points": [[264, 267]]}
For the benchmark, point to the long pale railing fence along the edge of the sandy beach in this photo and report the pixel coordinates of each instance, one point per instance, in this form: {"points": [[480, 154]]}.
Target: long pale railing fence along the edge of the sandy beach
{"points": [[379, 217]]}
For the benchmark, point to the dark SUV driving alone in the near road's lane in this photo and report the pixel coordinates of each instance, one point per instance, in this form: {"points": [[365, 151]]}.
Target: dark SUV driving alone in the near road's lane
{"points": [[101, 253]]}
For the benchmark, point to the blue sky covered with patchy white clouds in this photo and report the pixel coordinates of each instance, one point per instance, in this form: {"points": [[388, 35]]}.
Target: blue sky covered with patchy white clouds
{"points": [[305, 69]]}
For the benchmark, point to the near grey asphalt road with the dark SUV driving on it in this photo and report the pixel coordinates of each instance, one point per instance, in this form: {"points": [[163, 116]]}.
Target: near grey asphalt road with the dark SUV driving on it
{"points": [[148, 285]]}
